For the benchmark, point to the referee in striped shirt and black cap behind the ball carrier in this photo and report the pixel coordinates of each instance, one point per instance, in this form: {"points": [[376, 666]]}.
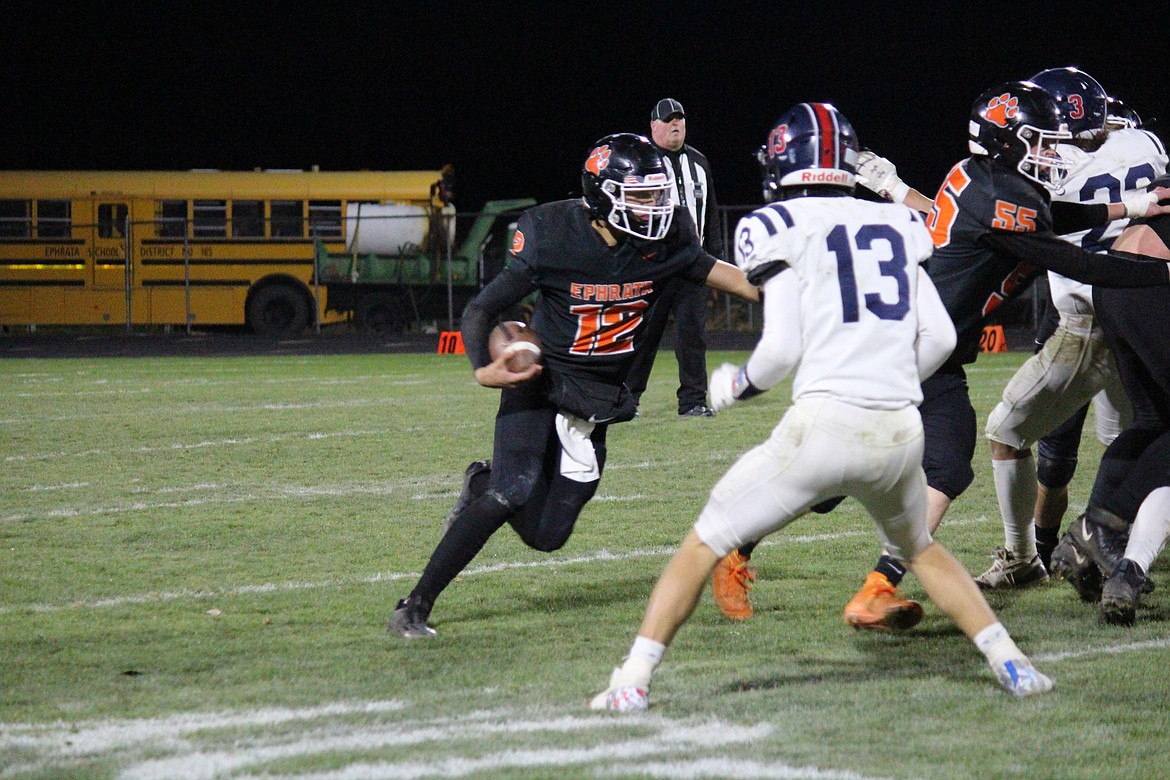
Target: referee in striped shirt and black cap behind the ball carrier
{"points": [[694, 191]]}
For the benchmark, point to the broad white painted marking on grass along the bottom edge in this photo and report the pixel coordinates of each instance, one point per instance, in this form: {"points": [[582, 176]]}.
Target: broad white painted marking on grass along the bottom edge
{"points": [[259, 741]]}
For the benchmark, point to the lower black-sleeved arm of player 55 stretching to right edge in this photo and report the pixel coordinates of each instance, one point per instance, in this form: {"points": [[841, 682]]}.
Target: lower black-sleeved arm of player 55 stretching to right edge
{"points": [[1052, 253]]}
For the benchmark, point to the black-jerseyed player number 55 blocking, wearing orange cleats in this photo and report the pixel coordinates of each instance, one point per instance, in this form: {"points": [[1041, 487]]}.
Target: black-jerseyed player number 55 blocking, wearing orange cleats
{"points": [[995, 230]]}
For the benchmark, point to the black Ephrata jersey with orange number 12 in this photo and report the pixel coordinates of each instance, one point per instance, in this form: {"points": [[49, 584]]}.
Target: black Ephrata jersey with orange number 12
{"points": [[595, 298]]}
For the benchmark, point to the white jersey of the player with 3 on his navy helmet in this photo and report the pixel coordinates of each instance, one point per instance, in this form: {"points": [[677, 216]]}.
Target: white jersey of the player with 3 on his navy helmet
{"points": [[1127, 162]]}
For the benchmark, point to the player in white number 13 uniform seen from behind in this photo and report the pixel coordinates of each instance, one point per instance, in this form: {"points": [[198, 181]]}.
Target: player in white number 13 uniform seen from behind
{"points": [[850, 309]]}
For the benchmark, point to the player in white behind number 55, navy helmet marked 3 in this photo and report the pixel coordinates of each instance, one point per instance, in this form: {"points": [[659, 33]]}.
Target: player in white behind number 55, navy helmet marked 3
{"points": [[1076, 364]]}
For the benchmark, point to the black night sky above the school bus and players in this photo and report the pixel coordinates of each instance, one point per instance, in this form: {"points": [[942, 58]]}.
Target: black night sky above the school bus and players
{"points": [[513, 94]]}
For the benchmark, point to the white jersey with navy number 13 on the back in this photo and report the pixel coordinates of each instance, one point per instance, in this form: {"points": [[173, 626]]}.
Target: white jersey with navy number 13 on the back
{"points": [[858, 268]]}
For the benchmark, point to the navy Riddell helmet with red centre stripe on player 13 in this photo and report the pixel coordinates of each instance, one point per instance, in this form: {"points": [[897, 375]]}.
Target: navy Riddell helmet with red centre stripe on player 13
{"points": [[811, 146]]}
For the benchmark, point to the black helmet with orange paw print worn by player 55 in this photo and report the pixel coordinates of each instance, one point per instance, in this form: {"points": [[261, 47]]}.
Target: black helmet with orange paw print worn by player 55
{"points": [[1018, 125]]}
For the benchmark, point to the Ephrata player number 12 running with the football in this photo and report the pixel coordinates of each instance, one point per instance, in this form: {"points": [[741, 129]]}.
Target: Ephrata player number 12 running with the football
{"points": [[598, 264]]}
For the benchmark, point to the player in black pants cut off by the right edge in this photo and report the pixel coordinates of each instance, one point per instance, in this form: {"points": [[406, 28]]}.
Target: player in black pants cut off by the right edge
{"points": [[1127, 521]]}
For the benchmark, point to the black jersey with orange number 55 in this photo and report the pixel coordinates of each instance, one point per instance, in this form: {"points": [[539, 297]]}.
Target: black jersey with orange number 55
{"points": [[973, 281]]}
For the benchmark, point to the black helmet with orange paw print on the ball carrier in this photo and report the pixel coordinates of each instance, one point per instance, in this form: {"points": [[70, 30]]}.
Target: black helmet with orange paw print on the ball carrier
{"points": [[625, 183]]}
